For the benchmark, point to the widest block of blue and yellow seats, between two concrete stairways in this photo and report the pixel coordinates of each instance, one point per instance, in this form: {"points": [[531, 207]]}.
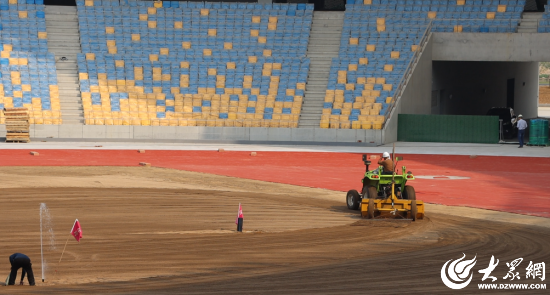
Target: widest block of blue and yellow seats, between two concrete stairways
{"points": [[174, 63]]}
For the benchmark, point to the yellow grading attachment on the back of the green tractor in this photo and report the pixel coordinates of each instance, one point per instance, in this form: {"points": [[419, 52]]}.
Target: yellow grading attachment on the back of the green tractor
{"points": [[392, 207]]}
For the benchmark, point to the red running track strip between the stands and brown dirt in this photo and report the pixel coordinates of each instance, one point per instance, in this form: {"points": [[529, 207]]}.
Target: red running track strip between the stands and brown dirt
{"points": [[512, 184]]}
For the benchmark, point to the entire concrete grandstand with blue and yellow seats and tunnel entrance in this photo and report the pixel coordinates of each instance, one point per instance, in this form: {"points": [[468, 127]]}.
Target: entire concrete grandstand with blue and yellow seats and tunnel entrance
{"points": [[260, 71]]}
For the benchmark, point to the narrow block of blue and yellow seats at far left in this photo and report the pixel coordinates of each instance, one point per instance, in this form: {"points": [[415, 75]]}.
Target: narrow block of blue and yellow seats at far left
{"points": [[27, 70]]}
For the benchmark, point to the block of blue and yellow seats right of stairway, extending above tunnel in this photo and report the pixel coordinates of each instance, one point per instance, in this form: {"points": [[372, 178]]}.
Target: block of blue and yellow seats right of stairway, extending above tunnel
{"points": [[379, 42]]}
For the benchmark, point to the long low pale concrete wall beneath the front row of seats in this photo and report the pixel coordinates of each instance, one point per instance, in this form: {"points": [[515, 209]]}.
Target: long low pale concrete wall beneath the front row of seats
{"points": [[173, 133]]}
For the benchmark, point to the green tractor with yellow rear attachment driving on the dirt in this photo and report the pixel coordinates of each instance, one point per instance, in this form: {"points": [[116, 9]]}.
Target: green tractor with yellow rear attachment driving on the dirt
{"points": [[386, 195]]}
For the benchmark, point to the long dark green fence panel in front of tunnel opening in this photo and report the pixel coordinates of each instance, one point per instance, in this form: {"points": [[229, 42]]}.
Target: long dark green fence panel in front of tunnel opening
{"points": [[448, 128]]}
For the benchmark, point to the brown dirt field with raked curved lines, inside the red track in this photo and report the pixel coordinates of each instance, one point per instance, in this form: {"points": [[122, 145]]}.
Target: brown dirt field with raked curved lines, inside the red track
{"points": [[162, 231]]}
